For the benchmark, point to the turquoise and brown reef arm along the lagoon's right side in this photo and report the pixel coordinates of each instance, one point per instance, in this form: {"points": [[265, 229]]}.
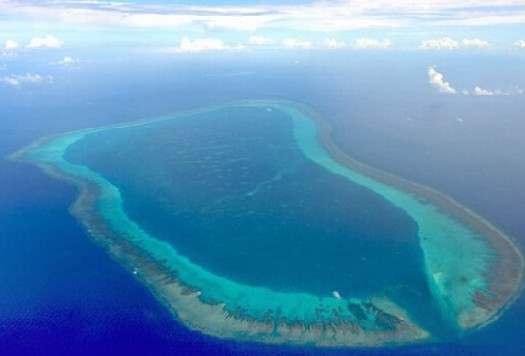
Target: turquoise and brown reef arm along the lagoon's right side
{"points": [[474, 270]]}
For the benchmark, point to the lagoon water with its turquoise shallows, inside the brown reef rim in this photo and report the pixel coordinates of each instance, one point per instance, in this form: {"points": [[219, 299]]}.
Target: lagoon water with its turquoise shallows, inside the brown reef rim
{"points": [[243, 203]]}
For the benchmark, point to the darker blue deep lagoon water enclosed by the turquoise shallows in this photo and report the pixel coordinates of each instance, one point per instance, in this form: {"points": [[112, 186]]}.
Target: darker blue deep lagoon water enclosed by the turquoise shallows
{"points": [[230, 187]]}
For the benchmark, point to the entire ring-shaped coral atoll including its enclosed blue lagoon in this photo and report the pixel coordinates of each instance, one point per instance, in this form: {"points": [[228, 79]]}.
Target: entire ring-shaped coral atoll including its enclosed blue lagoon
{"points": [[248, 222]]}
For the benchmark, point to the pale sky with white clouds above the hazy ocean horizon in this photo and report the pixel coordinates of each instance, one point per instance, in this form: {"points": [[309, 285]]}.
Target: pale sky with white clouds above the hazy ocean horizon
{"points": [[77, 30]]}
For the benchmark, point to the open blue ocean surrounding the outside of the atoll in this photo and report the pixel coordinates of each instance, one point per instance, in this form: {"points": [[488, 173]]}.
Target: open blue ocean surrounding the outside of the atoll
{"points": [[62, 295]]}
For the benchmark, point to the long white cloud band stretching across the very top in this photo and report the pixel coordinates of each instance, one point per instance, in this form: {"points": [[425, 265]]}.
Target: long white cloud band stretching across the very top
{"points": [[317, 15]]}
